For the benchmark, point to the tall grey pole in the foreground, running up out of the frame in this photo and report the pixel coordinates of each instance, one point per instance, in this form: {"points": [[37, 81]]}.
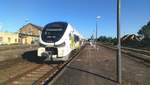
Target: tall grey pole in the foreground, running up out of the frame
{"points": [[119, 61]]}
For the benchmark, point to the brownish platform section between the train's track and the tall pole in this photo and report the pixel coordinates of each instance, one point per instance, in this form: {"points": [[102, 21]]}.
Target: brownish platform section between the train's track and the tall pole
{"points": [[91, 67]]}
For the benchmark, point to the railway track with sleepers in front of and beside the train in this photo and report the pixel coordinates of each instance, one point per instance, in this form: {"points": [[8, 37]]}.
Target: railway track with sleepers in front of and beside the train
{"points": [[40, 74]]}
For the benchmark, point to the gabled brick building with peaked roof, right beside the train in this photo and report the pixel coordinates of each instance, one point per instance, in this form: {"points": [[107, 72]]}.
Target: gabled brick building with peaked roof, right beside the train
{"points": [[29, 34]]}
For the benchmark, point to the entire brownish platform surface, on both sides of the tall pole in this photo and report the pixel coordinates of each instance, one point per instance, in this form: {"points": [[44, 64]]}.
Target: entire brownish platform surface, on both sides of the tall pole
{"points": [[98, 67]]}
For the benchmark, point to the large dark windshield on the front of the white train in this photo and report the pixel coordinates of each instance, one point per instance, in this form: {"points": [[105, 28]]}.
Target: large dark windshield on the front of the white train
{"points": [[53, 32]]}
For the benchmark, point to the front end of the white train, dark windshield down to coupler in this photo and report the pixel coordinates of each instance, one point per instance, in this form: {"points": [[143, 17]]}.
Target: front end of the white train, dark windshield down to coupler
{"points": [[54, 42]]}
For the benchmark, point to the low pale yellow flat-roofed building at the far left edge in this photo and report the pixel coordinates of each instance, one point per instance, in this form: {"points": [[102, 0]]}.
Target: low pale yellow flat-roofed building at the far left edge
{"points": [[9, 38]]}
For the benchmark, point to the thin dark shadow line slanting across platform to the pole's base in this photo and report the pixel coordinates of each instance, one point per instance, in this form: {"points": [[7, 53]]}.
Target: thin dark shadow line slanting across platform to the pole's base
{"points": [[98, 75]]}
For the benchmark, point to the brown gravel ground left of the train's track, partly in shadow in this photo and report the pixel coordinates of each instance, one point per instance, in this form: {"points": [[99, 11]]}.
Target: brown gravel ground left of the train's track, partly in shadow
{"points": [[16, 61]]}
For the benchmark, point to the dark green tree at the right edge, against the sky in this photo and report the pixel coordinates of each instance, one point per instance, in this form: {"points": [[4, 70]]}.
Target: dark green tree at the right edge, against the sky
{"points": [[145, 30]]}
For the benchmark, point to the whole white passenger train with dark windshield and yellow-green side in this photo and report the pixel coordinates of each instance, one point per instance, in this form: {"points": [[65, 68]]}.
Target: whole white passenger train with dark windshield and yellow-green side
{"points": [[58, 40]]}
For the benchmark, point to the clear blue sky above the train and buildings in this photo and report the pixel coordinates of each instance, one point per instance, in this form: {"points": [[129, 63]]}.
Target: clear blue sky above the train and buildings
{"points": [[80, 13]]}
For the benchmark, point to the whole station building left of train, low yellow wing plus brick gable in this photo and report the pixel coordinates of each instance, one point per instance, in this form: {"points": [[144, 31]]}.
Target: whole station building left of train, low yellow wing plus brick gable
{"points": [[28, 34]]}
